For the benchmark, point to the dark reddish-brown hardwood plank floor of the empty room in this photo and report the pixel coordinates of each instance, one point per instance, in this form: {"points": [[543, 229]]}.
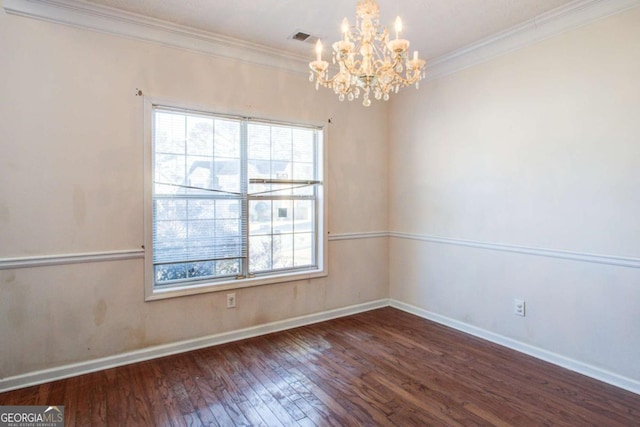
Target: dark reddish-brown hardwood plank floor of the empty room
{"points": [[383, 367]]}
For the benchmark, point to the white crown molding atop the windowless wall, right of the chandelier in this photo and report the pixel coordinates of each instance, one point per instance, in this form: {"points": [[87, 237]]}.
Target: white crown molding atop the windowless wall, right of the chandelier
{"points": [[572, 15]]}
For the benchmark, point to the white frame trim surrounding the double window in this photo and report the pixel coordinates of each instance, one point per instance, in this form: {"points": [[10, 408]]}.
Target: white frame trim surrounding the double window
{"points": [[202, 286]]}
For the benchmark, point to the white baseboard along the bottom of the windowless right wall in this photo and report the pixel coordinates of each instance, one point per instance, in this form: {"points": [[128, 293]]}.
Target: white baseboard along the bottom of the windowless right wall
{"points": [[556, 359]]}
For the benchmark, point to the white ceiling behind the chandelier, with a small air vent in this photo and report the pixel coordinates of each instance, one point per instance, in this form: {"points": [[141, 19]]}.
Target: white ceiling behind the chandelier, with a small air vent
{"points": [[434, 27]]}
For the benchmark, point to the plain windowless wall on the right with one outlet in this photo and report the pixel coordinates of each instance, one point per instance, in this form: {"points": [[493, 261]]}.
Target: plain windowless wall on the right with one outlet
{"points": [[538, 148]]}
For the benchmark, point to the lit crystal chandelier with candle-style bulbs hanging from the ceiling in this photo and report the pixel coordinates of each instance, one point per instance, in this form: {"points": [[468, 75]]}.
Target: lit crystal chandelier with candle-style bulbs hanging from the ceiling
{"points": [[369, 62]]}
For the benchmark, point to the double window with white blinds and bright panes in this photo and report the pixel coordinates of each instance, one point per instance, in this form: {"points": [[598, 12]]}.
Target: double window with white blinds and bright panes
{"points": [[232, 202]]}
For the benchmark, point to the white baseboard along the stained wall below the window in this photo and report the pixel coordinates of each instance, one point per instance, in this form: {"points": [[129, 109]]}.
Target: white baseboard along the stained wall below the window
{"points": [[66, 371]]}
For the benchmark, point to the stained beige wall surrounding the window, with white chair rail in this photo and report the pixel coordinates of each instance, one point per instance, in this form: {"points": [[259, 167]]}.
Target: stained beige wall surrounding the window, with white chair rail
{"points": [[71, 182]]}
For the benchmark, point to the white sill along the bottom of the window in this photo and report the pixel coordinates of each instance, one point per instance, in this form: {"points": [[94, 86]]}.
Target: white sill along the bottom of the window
{"points": [[184, 290]]}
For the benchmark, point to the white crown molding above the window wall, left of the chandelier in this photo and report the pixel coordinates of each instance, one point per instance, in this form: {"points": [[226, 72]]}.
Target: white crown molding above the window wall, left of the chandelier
{"points": [[131, 25]]}
